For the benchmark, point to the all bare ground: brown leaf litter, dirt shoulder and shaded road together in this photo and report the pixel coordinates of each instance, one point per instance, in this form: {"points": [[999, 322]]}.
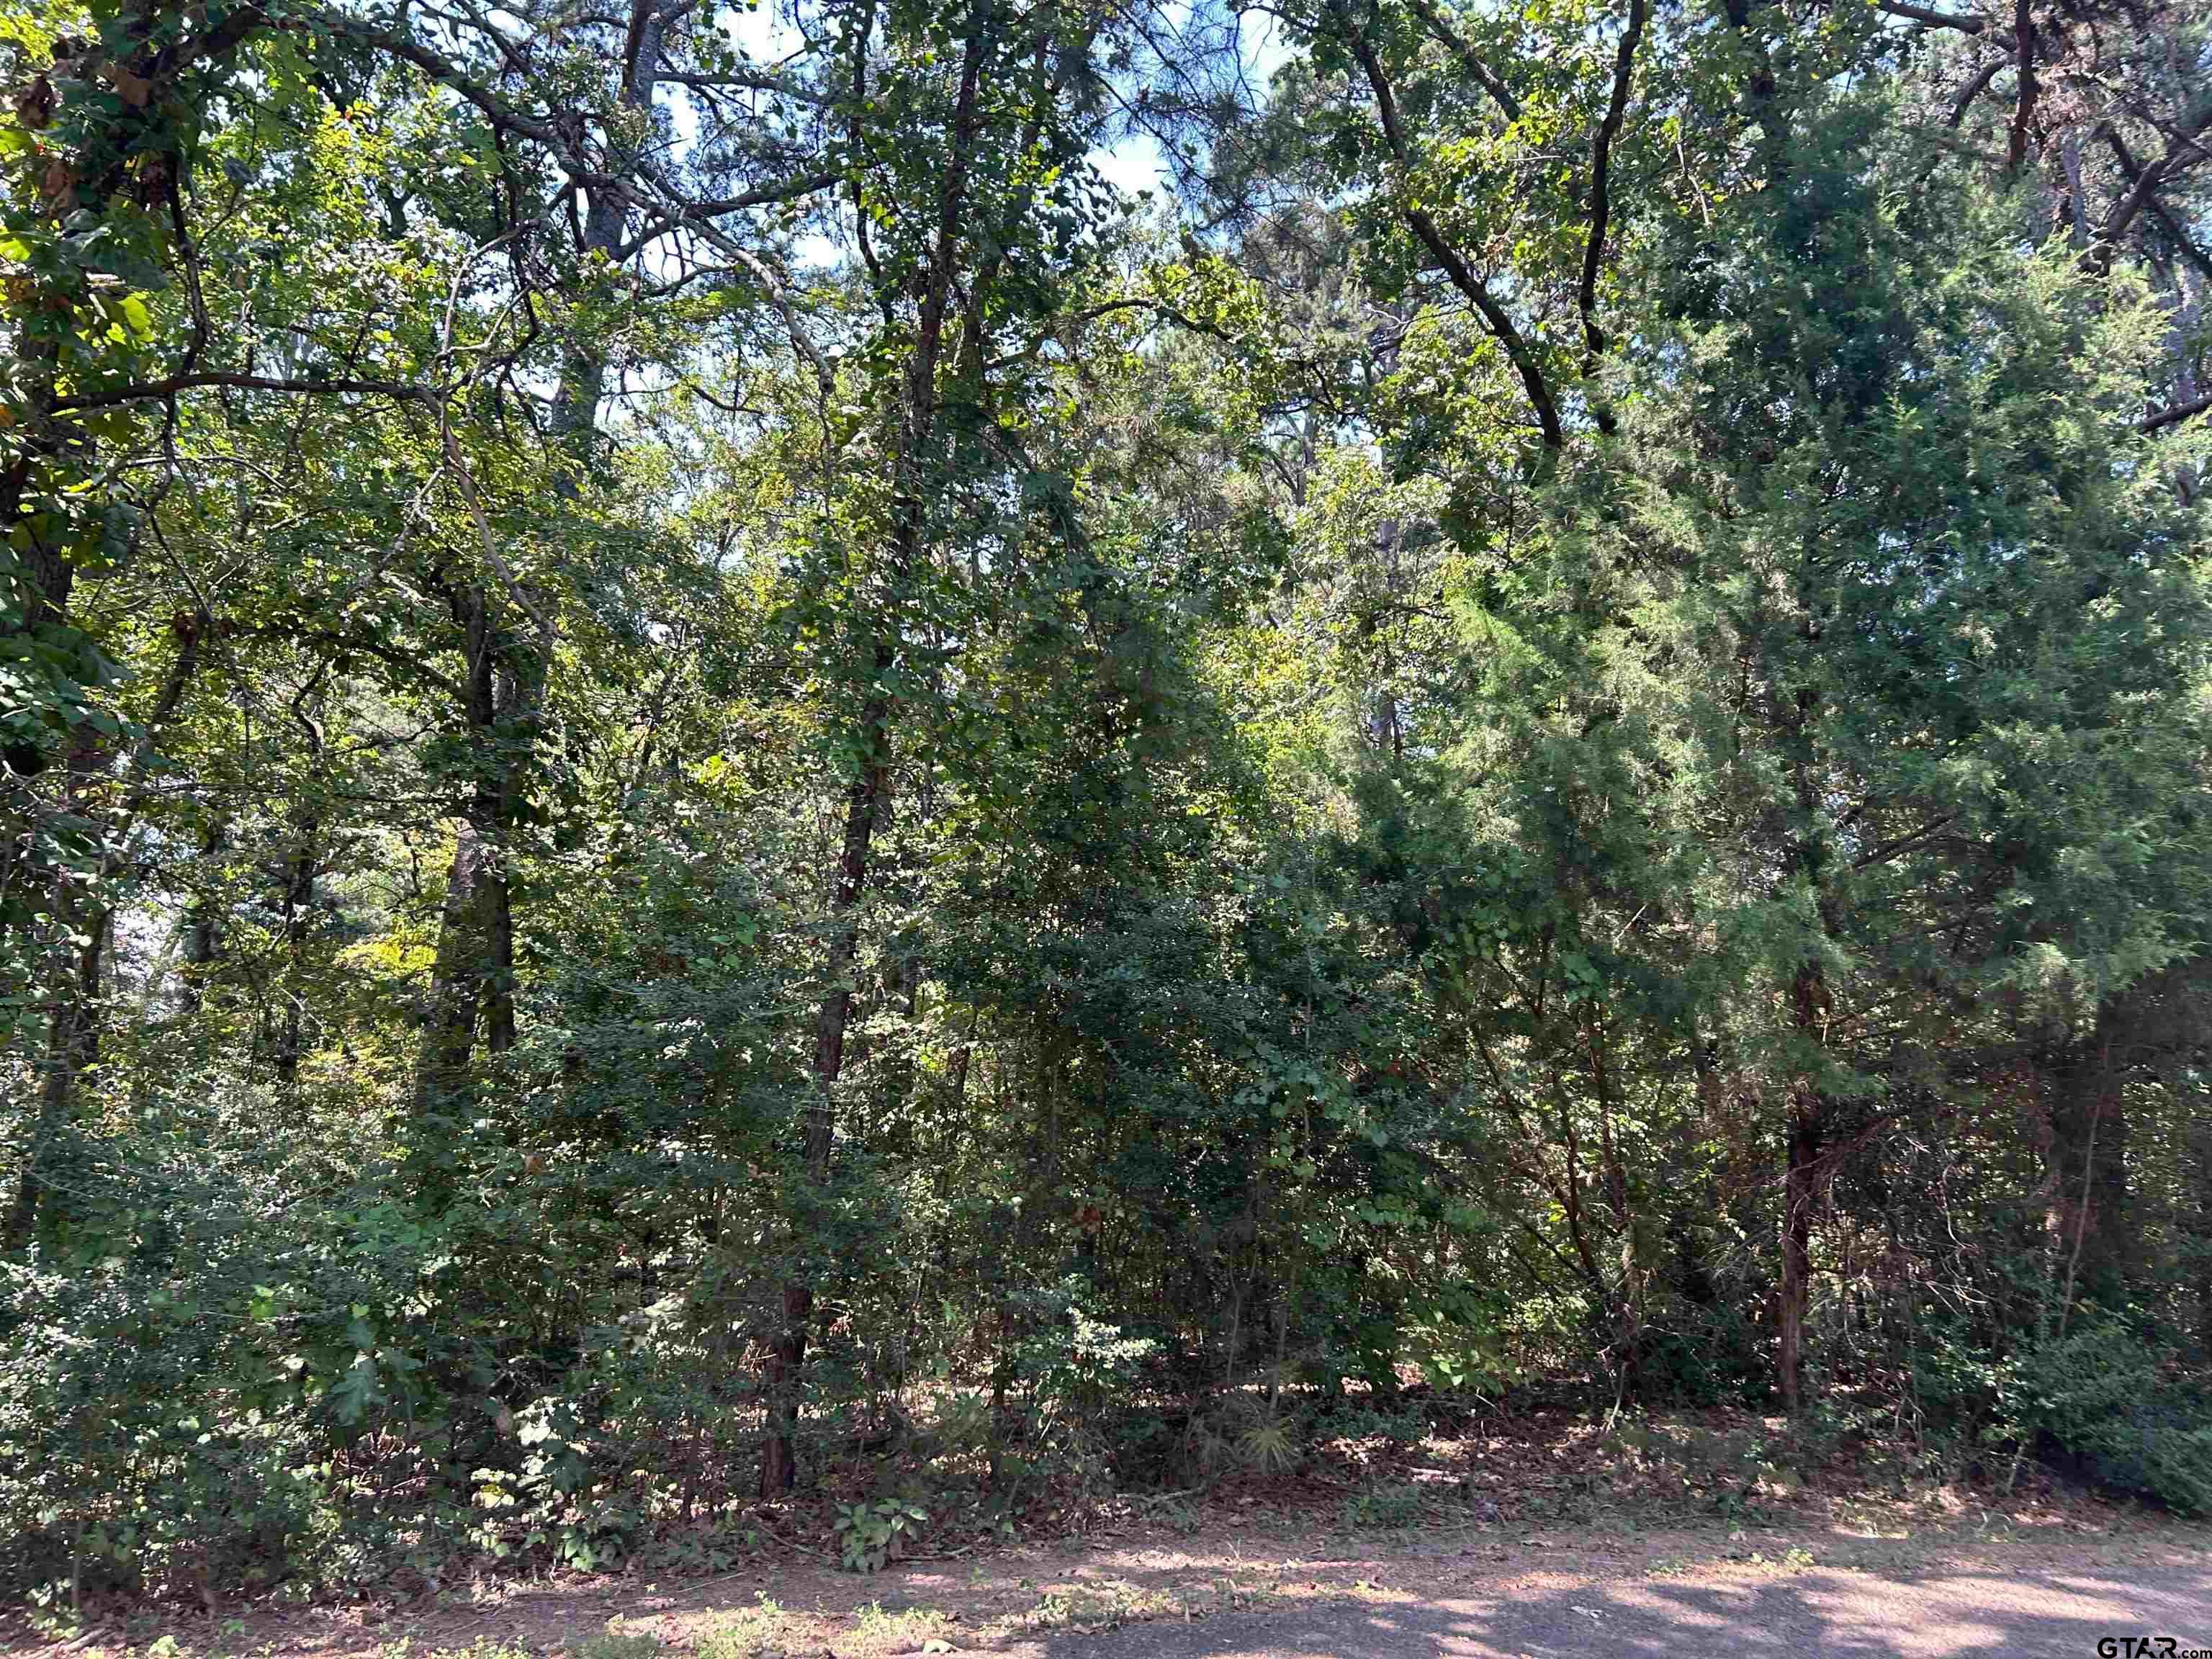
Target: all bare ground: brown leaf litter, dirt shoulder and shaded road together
{"points": [[1525, 1538]]}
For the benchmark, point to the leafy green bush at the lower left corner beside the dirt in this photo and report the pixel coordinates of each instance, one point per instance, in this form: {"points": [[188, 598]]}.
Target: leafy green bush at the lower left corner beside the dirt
{"points": [[182, 1375]]}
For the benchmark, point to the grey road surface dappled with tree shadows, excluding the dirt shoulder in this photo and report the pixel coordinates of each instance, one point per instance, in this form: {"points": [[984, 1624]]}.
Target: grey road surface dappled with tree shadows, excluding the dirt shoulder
{"points": [[2038, 1614]]}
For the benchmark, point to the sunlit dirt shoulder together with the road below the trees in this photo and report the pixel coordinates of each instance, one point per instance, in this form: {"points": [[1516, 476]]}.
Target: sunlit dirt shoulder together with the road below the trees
{"points": [[1242, 1589]]}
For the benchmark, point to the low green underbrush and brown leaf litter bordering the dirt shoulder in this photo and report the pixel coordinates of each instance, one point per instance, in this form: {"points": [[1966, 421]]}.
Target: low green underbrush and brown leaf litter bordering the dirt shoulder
{"points": [[171, 1441]]}
